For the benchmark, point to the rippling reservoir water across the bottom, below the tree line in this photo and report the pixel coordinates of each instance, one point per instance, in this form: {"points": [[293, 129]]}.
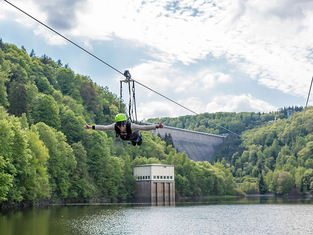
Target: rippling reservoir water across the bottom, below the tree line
{"points": [[240, 216]]}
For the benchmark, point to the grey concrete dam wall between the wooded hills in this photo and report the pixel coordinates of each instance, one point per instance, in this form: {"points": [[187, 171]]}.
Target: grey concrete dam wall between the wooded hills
{"points": [[199, 146]]}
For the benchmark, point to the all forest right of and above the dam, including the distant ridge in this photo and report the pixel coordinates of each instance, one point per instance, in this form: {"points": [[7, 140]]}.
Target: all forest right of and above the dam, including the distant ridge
{"points": [[266, 153]]}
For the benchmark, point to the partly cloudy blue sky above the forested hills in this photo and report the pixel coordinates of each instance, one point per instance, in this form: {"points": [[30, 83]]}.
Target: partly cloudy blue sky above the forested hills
{"points": [[210, 56]]}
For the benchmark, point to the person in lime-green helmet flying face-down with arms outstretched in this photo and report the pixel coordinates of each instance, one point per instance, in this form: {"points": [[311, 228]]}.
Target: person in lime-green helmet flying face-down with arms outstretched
{"points": [[124, 129]]}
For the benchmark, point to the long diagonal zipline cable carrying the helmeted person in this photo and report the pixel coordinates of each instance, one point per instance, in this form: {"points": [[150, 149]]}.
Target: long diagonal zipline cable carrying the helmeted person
{"points": [[112, 66]]}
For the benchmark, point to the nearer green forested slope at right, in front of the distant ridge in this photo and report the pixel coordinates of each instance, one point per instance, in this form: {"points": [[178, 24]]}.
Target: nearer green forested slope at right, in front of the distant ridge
{"points": [[279, 153]]}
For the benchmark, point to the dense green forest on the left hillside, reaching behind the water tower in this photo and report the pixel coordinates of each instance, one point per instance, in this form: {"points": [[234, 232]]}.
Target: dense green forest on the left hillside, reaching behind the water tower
{"points": [[47, 155]]}
